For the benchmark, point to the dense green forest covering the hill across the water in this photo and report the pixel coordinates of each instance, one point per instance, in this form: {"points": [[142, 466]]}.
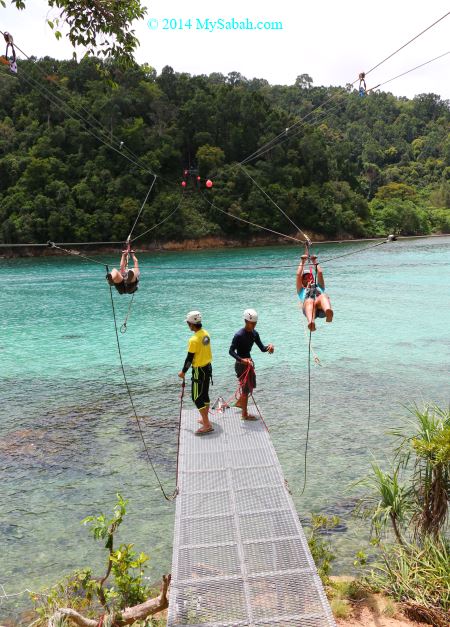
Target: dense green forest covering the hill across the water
{"points": [[359, 166]]}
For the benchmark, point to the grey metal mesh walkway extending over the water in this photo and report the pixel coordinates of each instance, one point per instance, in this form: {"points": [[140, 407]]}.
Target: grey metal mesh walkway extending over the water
{"points": [[240, 556]]}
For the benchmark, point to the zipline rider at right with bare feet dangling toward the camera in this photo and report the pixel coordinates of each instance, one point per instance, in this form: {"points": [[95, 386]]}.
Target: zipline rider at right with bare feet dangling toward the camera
{"points": [[311, 291]]}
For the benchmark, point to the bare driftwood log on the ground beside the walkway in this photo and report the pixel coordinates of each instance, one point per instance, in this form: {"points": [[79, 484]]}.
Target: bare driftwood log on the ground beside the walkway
{"points": [[127, 617]]}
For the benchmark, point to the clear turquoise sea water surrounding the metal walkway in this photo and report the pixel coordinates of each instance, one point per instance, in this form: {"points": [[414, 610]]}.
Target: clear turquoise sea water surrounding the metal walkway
{"points": [[68, 441]]}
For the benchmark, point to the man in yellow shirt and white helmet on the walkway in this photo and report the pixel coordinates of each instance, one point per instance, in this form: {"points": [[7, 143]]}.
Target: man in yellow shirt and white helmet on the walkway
{"points": [[199, 357]]}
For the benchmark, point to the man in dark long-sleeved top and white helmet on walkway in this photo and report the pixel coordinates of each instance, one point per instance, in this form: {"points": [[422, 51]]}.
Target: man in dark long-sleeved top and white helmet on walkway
{"points": [[240, 349]]}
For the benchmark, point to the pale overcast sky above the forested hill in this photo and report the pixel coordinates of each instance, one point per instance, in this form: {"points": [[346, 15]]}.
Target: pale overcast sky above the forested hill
{"points": [[329, 40]]}
